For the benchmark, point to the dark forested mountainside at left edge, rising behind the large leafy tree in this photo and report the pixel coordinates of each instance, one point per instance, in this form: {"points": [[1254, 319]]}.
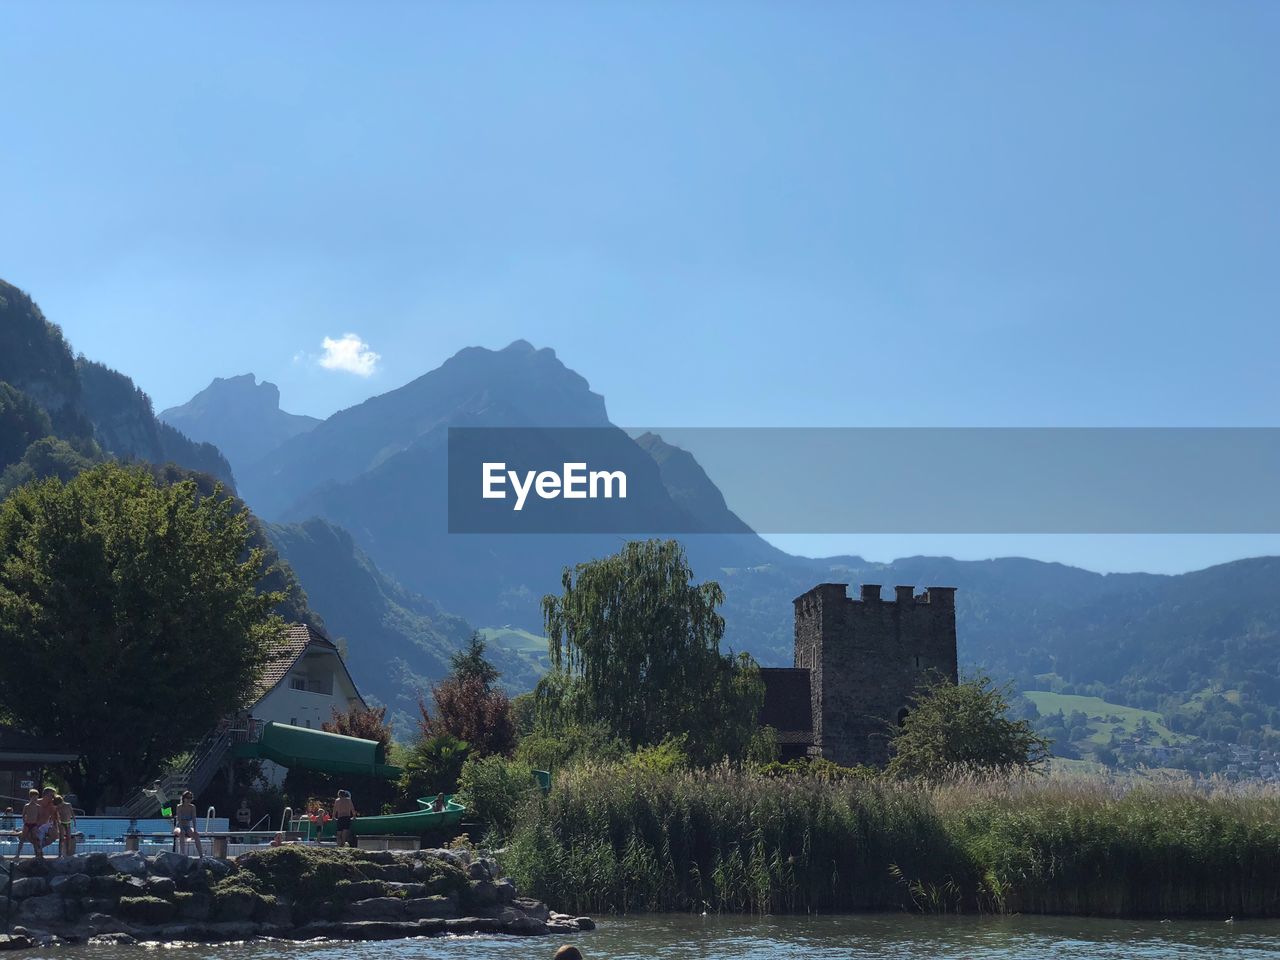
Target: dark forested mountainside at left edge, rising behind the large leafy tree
{"points": [[92, 410]]}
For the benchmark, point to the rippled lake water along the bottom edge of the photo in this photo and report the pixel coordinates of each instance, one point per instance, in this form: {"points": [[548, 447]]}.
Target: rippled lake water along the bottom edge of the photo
{"points": [[863, 938]]}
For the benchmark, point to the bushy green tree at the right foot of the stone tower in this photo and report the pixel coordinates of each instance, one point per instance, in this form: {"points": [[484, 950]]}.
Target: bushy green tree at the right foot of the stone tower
{"points": [[959, 729]]}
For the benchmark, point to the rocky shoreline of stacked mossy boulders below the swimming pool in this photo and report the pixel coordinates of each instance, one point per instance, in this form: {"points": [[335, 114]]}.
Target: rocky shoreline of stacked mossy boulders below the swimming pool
{"points": [[290, 893]]}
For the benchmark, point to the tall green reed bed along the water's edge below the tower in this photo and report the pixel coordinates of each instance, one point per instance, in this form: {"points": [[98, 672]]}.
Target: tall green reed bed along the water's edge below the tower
{"points": [[610, 839]]}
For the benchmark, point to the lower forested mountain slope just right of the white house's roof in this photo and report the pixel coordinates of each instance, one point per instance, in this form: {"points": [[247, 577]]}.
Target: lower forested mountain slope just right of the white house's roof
{"points": [[399, 643]]}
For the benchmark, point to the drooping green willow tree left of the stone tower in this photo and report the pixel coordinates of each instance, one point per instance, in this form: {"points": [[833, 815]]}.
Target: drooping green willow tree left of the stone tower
{"points": [[636, 644]]}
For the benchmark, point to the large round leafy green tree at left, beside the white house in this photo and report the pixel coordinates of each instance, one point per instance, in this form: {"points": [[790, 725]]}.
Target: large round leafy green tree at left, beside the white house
{"points": [[131, 619]]}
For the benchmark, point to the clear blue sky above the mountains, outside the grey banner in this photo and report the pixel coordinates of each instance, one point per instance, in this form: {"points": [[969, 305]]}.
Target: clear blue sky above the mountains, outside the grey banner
{"points": [[720, 214]]}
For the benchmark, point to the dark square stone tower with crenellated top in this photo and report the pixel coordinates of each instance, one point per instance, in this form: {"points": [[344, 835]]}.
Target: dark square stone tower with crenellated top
{"points": [[866, 659]]}
